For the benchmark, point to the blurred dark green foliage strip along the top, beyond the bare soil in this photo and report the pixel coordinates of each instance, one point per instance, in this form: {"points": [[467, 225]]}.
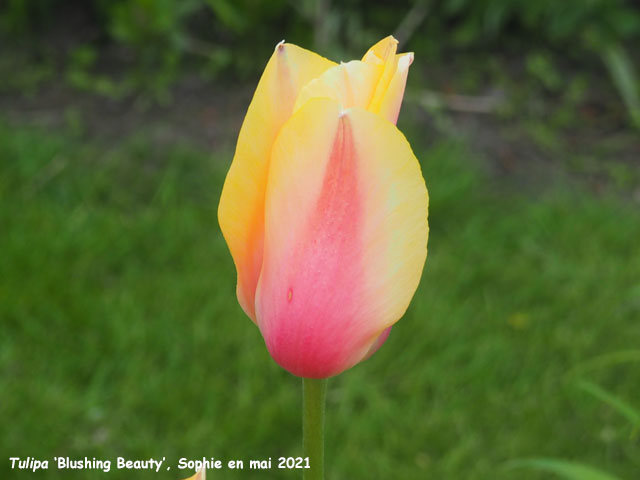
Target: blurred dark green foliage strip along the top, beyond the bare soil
{"points": [[159, 38]]}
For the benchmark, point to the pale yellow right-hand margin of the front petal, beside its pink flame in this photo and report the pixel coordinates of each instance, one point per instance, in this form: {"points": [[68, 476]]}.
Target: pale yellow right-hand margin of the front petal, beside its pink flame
{"points": [[396, 228]]}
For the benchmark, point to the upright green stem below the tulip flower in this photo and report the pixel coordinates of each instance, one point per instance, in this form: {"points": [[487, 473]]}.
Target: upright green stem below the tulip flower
{"points": [[314, 393]]}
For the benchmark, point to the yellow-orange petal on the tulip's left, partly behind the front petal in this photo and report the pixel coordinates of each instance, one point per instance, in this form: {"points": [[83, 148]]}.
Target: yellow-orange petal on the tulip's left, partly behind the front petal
{"points": [[241, 209]]}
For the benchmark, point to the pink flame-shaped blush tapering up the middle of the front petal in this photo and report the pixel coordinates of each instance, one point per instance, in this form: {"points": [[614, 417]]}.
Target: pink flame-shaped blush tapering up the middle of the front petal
{"points": [[312, 309]]}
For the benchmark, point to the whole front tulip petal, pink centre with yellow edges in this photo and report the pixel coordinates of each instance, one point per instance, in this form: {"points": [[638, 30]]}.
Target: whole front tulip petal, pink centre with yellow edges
{"points": [[344, 190]]}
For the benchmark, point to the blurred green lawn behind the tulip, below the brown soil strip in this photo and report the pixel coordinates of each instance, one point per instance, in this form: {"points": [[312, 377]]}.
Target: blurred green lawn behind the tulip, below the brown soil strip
{"points": [[120, 334]]}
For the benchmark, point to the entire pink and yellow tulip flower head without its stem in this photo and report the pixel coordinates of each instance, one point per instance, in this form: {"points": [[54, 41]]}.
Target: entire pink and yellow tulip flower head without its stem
{"points": [[324, 208]]}
